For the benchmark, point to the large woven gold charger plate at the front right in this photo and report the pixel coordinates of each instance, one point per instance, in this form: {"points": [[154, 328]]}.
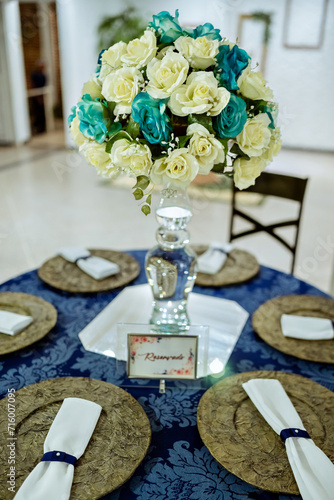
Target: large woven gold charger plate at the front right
{"points": [[240, 439]]}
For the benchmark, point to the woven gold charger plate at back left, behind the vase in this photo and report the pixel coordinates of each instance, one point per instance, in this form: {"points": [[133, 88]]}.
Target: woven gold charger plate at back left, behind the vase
{"points": [[67, 276]]}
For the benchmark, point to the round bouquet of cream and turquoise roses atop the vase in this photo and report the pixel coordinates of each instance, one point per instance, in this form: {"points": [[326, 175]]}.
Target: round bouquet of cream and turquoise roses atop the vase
{"points": [[175, 103]]}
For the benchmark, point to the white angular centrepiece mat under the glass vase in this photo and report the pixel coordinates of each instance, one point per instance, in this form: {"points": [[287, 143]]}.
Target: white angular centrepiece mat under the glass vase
{"points": [[225, 318]]}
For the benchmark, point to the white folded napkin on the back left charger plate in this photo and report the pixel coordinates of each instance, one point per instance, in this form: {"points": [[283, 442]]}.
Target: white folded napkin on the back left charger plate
{"points": [[96, 267]]}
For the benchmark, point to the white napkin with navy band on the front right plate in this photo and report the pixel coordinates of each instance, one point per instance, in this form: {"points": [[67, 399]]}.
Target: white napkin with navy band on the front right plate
{"points": [[313, 471]]}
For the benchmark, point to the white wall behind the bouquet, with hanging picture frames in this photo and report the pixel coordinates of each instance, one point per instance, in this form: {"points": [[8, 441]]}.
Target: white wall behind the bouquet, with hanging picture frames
{"points": [[302, 79]]}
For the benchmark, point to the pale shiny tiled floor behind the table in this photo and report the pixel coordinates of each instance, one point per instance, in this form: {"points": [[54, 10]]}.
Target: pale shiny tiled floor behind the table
{"points": [[50, 198]]}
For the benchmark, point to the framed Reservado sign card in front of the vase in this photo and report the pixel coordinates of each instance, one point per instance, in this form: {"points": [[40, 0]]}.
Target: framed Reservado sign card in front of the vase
{"points": [[162, 356]]}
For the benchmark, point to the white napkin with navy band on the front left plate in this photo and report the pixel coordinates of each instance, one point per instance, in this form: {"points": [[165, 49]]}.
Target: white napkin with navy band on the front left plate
{"points": [[70, 433]]}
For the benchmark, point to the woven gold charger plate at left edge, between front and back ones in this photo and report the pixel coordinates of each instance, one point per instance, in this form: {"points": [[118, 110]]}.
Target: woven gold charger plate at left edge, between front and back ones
{"points": [[44, 319]]}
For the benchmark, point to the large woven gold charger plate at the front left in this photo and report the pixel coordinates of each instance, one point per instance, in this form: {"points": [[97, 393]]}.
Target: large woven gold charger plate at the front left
{"points": [[118, 445]]}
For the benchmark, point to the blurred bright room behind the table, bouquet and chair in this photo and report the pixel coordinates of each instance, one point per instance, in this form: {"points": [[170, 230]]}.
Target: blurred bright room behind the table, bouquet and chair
{"points": [[51, 198]]}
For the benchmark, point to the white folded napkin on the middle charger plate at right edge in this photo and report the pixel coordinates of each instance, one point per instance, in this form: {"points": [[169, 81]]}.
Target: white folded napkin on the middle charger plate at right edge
{"points": [[307, 328]]}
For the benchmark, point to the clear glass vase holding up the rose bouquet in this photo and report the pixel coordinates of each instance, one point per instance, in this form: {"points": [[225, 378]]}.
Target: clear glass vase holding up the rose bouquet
{"points": [[171, 264]]}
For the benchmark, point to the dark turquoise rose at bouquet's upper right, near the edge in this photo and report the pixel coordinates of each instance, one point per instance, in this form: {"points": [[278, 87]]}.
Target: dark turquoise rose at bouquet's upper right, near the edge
{"points": [[230, 65]]}
